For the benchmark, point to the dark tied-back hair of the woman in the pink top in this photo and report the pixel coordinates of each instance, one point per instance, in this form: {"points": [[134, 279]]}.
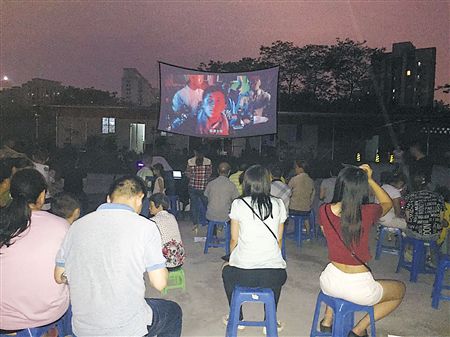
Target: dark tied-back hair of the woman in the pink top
{"points": [[26, 186]]}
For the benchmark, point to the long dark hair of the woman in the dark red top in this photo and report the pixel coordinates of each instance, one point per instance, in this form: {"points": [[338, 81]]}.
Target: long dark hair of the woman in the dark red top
{"points": [[352, 190]]}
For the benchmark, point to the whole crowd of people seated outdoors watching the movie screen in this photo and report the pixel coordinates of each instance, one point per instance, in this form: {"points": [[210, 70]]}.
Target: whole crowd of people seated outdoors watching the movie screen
{"points": [[103, 255]]}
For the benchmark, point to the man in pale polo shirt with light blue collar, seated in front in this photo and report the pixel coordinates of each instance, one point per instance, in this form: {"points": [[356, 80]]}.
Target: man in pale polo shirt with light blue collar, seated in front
{"points": [[103, 258]]}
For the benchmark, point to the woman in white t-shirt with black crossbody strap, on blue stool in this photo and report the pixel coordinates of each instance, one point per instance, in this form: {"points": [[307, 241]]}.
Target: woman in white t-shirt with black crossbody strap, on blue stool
{"points": [[257, 222]]}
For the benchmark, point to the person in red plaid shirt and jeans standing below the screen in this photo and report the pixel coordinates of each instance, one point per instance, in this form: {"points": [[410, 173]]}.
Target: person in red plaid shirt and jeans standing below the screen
{"points": [[198, 171]]}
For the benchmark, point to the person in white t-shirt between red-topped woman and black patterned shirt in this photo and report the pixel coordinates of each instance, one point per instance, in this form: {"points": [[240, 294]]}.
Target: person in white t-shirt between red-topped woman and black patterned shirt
{"points": [[392, 185]]}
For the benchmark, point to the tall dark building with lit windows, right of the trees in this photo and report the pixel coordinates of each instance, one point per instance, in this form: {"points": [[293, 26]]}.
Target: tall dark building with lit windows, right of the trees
{"points": [[405, 77]]}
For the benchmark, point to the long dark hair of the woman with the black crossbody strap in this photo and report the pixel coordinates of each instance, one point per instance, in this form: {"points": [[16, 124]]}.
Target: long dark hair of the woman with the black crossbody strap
{"points": [[256, 184]]}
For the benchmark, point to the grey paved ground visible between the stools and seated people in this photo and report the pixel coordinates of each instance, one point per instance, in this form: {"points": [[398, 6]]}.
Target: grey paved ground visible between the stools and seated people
{"points": [[204, 302]]}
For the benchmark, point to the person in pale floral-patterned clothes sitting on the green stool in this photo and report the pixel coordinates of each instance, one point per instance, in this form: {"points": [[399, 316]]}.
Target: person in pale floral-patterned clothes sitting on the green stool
{"points": [[172, 245]]}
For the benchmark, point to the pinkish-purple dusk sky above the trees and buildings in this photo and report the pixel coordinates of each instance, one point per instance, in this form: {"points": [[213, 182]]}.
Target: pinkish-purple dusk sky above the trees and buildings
{"points": [[86, 44]]}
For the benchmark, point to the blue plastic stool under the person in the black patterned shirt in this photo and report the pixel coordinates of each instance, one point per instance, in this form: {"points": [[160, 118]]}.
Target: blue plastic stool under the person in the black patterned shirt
{"points": [[417, 266]]}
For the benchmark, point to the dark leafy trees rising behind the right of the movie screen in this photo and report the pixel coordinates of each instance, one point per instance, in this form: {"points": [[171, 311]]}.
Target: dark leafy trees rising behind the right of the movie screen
{"points": [[315, 76]]}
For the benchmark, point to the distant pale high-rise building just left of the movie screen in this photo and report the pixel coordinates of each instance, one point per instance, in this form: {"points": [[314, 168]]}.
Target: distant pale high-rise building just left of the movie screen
{"points": [[135, 88]]}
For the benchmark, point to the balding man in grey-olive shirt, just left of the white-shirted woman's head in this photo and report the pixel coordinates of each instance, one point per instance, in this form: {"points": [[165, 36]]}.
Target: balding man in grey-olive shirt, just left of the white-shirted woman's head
{"points": [[220, 193]]}
